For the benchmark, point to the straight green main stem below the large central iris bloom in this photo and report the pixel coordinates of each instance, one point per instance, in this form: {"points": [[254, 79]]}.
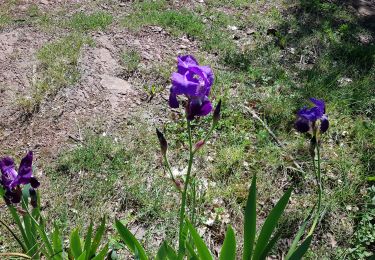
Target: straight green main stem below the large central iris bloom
{"points": [[184, 193]]}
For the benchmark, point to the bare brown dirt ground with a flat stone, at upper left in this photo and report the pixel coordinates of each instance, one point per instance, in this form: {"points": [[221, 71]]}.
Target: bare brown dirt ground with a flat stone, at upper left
{"points": [[103, 94]]}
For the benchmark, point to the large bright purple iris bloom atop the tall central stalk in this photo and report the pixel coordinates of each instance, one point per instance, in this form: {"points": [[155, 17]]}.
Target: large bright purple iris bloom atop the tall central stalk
{"points": [[193, 81]]}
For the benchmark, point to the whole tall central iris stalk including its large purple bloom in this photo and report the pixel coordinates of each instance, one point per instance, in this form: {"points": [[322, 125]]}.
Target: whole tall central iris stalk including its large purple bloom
{"points": [[194, 82]]}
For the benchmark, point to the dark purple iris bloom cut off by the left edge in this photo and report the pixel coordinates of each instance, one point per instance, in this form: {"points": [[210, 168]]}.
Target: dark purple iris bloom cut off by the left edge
{"points": [[11, 179]]}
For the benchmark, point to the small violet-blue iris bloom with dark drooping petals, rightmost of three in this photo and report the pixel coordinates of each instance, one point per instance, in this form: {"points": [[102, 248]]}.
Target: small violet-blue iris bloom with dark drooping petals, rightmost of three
{"points": [[307, 117]]}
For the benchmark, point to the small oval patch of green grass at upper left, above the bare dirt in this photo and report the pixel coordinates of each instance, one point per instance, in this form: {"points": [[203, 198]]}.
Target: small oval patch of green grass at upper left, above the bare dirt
{"points": [[87, 22]]}
